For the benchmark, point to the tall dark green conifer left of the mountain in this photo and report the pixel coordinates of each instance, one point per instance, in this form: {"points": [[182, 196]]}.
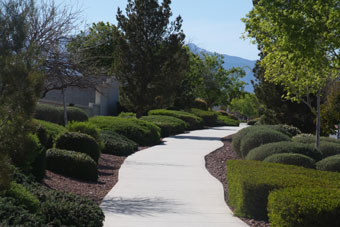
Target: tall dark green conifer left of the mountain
{"points": [[150, 60]]}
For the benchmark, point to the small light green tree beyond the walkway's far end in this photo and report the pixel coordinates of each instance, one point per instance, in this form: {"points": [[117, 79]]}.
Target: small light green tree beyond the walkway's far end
{"points": [[247, 105]]}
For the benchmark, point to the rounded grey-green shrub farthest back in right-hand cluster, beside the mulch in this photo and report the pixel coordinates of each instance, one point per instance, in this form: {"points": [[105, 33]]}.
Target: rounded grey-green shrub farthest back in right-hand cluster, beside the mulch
{"points": [[259, 136]]}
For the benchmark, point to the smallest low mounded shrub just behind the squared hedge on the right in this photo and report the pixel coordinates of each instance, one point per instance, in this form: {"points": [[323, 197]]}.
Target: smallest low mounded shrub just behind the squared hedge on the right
{"points": [[291, 159]]}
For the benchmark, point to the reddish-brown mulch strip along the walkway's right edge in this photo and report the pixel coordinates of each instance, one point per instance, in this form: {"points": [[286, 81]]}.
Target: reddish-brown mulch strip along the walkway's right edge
{"points": [[216, 165]]}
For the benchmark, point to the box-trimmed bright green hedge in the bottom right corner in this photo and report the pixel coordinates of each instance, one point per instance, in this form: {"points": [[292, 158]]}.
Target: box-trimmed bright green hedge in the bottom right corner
{"points": [[296, 207]]}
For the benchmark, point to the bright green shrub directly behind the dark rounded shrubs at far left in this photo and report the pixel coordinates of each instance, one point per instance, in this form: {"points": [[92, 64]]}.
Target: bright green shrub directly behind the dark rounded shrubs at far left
{"points": [[48, 132]]}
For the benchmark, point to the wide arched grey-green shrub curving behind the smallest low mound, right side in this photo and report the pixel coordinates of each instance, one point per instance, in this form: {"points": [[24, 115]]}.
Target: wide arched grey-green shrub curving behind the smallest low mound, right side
{"points": [[262, 152]]}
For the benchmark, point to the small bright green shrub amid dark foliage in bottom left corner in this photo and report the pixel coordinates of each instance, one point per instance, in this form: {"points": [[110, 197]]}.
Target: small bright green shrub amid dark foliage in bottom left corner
{"points": [[23, 197]]}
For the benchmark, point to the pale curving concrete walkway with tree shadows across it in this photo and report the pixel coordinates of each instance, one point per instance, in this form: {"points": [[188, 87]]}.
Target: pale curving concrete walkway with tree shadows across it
{"points": [[168, 185]]}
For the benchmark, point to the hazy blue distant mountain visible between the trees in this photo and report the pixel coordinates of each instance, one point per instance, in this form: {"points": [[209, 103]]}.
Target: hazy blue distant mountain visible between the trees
{"points": [[232, 61]]}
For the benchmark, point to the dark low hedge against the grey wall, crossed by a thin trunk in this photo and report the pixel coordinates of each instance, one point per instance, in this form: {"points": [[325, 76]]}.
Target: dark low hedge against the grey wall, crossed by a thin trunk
{"points": [[56, 114]]}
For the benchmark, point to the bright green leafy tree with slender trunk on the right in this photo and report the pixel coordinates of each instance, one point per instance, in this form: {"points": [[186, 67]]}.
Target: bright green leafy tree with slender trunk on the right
{"points": [[300, 43]]}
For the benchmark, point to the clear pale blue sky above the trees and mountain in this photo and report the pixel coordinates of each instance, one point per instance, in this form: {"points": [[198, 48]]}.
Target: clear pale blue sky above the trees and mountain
{"points": [[214, 25]]}
